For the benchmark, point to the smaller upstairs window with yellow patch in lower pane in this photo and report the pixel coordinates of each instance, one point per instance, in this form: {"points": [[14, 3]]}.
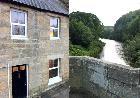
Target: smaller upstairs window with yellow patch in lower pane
{"points": [[54, 28]]}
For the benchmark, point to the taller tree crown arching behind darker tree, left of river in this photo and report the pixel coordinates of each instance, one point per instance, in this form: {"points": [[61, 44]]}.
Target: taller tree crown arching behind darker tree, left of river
{"points": [[89, 20]]}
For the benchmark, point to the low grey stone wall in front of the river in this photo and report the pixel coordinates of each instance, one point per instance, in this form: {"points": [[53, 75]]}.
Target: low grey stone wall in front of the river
{"points": [[103, 79]]}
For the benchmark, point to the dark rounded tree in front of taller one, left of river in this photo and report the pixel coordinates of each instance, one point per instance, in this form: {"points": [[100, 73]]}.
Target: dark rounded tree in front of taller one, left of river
{"points": [[80, 34]]}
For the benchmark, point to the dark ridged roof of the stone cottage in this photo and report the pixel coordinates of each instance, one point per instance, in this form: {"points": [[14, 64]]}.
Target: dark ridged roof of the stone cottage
{"points": [[48, 5]]}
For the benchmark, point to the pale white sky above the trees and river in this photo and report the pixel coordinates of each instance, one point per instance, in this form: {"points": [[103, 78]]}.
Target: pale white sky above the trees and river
{"points": [[108, 11]]}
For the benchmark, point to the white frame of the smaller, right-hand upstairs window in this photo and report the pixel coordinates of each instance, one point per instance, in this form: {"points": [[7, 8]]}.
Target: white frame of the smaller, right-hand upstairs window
{"points": [[55, 38]]}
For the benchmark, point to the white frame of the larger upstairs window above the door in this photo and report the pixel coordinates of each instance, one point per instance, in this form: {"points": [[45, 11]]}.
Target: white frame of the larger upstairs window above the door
{"points": [[18, 36]]}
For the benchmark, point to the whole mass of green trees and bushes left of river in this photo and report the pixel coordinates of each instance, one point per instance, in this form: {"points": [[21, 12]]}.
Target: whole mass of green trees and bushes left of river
{"points": [[85, 30]]}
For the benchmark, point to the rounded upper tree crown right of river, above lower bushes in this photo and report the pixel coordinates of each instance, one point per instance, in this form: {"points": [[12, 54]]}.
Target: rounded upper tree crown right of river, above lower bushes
{"points": [[127, 26]]}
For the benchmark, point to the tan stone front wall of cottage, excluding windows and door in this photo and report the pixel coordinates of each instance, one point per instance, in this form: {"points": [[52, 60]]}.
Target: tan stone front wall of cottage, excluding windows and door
{"points": [[35, 51]]}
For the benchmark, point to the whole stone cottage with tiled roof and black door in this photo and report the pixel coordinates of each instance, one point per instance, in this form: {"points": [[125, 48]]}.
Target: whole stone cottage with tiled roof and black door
{"points": [[34, 49]]}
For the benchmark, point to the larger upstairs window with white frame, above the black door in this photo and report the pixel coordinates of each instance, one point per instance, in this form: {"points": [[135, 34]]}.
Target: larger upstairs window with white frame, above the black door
{"points": [[18, 20]]}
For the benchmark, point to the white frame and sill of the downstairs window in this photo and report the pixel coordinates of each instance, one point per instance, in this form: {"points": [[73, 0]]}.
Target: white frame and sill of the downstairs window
{"points": [[57, 78]]}
